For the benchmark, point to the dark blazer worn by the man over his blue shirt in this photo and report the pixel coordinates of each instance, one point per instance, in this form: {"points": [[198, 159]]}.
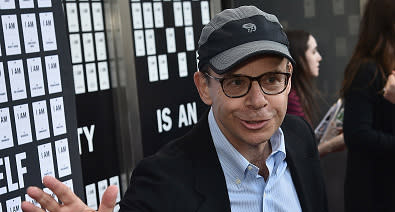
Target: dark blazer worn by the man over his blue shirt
{"points": [[186, 174]]}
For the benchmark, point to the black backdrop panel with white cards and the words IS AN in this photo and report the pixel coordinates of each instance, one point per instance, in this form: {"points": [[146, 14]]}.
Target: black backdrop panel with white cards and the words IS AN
{"points": [[168, 100]]}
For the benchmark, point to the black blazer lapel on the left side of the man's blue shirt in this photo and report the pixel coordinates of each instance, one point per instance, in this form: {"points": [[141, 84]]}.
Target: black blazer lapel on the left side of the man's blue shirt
{"points": [[209, 178]]}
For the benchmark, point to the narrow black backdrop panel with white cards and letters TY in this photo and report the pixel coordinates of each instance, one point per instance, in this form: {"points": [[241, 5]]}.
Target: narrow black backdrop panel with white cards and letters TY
{"points": [[94, 97]]}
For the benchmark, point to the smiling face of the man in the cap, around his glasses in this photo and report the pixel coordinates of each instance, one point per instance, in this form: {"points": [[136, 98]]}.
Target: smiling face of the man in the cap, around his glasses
{"points": [[248, 121]]}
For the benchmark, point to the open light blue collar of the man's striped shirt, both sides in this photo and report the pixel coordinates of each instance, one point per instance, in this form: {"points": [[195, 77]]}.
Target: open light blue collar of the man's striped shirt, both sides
{"points": [[231, 160]]}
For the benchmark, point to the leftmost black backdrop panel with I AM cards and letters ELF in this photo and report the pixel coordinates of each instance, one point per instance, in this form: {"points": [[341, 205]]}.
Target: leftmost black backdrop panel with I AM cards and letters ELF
{"points": [[38, 117]]}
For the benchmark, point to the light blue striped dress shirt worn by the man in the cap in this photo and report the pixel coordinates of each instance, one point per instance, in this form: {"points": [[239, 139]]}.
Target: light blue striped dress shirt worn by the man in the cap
{"points": [[248, 191]]}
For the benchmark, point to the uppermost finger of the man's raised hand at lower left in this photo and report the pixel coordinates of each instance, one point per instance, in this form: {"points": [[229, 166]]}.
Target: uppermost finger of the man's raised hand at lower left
{"points": [[60, 189]]}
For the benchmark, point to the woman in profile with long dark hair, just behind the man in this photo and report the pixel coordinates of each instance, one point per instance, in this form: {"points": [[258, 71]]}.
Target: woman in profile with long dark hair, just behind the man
{"points": [[302, 98]]}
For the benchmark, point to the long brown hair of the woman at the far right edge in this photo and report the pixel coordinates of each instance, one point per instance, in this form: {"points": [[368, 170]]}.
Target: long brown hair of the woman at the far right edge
{"points": [[376, 41]]}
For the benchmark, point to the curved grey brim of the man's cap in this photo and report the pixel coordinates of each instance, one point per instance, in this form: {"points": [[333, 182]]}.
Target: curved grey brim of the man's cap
{"points": [[230, 58]]}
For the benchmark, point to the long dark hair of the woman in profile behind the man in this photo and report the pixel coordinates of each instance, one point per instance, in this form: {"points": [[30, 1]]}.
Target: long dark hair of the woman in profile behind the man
{"points": [[302, 80]]}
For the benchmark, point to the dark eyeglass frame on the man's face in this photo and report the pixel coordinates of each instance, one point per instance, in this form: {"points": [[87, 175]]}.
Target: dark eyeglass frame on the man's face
{"points": [[252, 79]]}
